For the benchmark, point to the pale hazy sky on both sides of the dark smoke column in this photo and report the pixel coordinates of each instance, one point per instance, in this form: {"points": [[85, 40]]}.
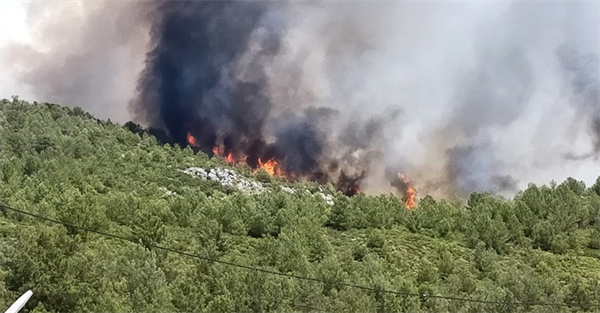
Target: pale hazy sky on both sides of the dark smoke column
{"points": [[479, 83]]}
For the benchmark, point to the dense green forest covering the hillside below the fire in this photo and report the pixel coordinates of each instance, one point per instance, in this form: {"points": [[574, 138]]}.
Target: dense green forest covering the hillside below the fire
{"points": [[537, 252]]}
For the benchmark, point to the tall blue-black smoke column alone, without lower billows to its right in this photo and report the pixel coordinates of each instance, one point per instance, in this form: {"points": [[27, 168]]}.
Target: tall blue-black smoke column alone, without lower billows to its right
{"points": [[190, 84]]}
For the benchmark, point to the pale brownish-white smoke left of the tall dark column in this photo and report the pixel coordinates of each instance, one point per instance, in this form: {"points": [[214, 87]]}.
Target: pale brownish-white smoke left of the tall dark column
{"points": [[85, 54]]}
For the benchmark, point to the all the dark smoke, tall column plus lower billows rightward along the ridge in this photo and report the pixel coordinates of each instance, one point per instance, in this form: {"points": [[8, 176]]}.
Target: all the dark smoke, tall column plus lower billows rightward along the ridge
{"points": [[207, 75]]}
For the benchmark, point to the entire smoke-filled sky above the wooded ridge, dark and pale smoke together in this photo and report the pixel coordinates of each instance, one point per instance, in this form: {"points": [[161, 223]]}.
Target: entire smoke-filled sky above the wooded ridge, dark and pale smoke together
{"points": [[460, 96]]}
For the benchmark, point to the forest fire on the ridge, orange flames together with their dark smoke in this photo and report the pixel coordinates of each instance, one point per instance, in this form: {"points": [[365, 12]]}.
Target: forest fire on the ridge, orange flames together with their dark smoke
{"points": [[225, 107]]}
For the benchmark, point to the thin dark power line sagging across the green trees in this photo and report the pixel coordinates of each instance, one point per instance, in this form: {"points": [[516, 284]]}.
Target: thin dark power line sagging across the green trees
{"points": [[271, 272]]}
